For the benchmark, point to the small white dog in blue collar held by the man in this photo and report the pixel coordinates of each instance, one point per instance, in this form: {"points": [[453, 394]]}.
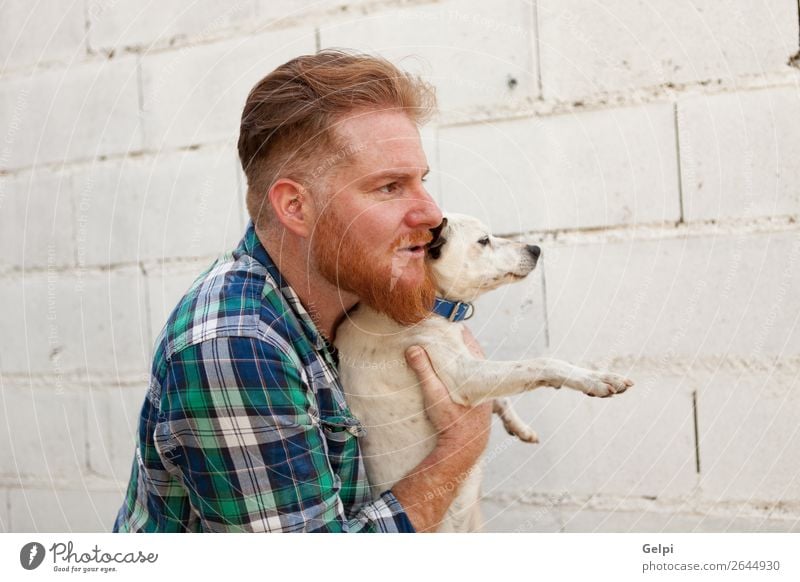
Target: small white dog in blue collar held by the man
{"points": [[383, 393]]}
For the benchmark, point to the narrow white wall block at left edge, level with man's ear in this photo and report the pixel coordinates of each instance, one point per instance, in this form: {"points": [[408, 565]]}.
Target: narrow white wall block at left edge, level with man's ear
{"points": [[36, 210]]}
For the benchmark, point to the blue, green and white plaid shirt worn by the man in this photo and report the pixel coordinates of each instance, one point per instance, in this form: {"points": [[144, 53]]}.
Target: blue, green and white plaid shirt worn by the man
{"points": [[245, 426]]}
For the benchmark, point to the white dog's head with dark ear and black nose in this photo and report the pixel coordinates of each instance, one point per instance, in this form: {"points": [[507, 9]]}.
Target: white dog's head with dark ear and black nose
{"points": [[468, 261]]}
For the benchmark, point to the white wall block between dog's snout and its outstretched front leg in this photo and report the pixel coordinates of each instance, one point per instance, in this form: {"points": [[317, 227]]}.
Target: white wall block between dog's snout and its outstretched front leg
{"points": [[509, 322]]}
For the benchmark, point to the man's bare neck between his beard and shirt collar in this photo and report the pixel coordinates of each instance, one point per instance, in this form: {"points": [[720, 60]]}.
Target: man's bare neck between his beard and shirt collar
{"points": [[324, 301]]}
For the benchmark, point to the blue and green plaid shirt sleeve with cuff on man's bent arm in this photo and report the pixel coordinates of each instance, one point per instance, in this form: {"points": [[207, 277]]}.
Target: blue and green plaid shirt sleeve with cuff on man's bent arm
{"points": [[235, 428]]}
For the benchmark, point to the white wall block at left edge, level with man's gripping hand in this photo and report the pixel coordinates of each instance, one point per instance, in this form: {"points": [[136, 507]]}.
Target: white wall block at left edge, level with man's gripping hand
{"points": [[46, 432]]}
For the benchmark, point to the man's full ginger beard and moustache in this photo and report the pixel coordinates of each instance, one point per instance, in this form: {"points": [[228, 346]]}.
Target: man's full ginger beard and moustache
{"points": [[375, 274]]}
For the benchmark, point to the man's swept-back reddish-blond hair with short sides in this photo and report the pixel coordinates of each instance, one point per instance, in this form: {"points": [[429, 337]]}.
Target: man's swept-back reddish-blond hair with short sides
{"points": [[288, 119]]}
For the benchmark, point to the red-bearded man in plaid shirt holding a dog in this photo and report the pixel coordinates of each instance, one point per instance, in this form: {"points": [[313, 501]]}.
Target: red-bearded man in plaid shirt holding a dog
{"points": [[245, 426]]}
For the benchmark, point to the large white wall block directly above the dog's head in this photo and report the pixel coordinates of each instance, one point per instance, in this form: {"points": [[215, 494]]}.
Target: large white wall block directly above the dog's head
{"points": [[581, 170]]}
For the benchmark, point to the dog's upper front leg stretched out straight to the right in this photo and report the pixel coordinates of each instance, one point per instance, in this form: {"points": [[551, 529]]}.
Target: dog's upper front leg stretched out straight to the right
{"points": [[473, 381]]}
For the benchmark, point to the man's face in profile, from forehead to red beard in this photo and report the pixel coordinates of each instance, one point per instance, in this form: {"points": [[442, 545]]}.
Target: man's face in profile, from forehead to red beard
{"points": [[375, 216]]}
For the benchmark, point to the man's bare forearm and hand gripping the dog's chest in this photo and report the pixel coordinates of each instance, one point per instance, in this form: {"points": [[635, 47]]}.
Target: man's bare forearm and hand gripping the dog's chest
{"points": [[431, 487]]}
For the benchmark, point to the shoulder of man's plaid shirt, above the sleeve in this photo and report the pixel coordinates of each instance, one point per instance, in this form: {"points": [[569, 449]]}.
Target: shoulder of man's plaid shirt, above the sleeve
{"points": [[227, 300]]}
